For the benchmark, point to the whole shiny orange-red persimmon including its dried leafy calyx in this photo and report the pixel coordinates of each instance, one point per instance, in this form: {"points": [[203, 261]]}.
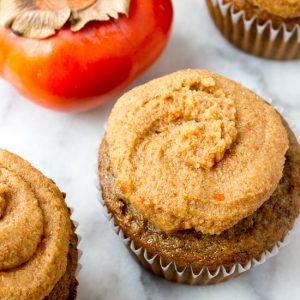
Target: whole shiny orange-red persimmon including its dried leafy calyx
{"points": [[89, 59]]}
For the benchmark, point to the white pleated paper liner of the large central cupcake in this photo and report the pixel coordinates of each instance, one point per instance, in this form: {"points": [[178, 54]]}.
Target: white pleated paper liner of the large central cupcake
{"points": [[171, 271]]}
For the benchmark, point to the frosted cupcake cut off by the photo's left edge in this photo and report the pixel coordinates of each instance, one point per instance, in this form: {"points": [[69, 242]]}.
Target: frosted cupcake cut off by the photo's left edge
{"points": [[38, 246]]}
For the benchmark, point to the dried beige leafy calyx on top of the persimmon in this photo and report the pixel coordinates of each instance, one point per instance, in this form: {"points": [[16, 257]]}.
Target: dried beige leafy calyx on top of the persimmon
{"points": [[42, 18]]}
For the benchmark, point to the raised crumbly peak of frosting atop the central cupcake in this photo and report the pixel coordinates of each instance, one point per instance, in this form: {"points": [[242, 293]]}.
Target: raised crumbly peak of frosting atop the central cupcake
{"points": [[201, 141]]}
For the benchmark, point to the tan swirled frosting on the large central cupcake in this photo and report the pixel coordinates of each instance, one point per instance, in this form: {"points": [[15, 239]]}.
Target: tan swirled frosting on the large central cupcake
{"points": [[194, 150]]}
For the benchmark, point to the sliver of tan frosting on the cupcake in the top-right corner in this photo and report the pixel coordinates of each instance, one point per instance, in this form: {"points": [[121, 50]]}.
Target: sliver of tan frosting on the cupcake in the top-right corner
{"points": [[282, 8]]}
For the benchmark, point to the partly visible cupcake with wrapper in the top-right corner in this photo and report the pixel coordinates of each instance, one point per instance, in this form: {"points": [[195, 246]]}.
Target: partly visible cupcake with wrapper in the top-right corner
{"points": [[270, 29]]}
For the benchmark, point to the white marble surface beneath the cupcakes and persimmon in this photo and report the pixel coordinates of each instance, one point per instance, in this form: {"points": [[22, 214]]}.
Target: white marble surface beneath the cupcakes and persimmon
{"points": [[64, 147]]}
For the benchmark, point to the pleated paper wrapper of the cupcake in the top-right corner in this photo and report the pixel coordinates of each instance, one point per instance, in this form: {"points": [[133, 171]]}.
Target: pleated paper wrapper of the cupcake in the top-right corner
{"points": [[252, 37]]}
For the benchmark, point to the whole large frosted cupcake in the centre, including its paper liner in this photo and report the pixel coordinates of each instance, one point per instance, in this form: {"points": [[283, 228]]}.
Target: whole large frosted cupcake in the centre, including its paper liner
{"points": [[200, 176]]}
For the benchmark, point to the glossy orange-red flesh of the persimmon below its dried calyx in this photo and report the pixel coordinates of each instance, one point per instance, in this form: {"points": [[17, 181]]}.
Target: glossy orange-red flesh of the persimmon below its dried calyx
{"points": [[76, 71]]}
